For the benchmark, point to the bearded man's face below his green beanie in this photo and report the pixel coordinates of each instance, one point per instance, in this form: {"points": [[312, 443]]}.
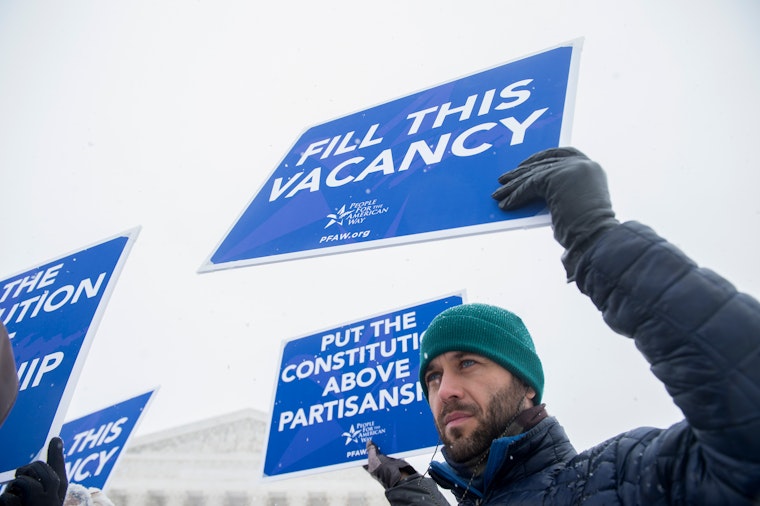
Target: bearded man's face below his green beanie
{"points": [[473, 400]]}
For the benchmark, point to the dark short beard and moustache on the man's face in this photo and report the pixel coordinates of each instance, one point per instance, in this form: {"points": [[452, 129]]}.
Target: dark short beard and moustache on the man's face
{"points": [[502, 409]]}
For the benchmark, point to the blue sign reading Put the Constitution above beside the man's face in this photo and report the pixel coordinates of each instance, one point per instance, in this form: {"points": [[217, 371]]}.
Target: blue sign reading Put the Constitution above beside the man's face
{"points": [[340, 387]]}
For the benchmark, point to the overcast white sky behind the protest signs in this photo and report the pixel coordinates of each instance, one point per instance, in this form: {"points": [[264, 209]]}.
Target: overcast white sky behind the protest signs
{"points": [[170, 115]]}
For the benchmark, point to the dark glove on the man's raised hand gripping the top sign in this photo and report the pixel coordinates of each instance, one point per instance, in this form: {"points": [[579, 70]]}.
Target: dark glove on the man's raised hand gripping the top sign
{"points": [[575, 190]]}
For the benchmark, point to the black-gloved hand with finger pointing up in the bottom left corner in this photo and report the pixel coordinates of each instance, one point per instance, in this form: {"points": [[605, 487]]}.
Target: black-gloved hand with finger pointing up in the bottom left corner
{"points": [[40, 483]]}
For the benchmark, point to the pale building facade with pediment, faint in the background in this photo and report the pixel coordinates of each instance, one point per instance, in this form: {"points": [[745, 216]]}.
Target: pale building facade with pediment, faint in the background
{"points": [[217, 462]]}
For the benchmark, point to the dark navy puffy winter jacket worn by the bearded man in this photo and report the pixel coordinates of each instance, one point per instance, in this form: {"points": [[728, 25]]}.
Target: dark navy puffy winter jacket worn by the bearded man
{"points": [[702, 339]]}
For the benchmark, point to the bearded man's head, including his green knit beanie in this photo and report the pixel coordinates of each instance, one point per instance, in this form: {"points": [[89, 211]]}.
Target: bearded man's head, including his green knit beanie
{"points": [[488, 350]]}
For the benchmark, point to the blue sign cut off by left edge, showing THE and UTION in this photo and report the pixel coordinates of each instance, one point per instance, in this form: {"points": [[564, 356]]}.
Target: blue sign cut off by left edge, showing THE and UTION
{"points": [[51, 312]]}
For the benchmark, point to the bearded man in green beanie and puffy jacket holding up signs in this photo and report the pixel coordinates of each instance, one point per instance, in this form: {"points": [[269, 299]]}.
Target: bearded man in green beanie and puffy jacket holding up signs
{"points": [[484, 382]]}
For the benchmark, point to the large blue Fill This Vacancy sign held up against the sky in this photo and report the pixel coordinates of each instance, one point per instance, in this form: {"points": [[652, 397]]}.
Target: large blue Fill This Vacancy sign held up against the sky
{"points": [[417, 168]]}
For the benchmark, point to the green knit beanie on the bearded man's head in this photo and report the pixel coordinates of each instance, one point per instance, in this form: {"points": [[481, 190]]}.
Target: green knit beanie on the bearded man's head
{"points": [[491, 331]]}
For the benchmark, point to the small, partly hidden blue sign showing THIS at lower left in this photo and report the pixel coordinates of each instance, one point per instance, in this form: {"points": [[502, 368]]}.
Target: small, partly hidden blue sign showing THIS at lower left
{"points": [[94, 443]]}
